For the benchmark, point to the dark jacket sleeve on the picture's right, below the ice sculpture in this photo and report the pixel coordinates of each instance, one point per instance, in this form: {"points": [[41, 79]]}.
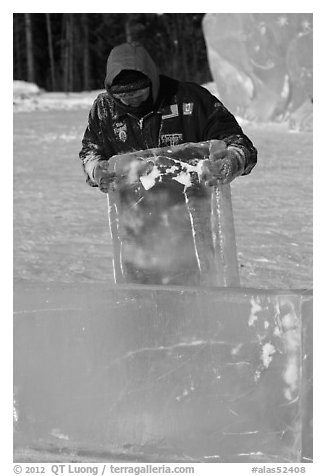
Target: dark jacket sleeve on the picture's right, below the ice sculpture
{"points": [[218, 123]]}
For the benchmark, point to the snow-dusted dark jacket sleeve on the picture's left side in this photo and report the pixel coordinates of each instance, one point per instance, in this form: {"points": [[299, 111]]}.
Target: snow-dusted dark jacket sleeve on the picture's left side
{"points": [[93, 150]]}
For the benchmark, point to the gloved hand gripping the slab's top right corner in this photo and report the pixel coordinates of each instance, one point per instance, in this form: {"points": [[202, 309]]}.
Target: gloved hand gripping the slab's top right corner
{"points": [[223, 166]]}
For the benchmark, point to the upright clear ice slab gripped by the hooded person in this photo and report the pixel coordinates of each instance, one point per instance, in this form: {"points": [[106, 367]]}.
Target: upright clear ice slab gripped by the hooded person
{"points": [[167, 226]]}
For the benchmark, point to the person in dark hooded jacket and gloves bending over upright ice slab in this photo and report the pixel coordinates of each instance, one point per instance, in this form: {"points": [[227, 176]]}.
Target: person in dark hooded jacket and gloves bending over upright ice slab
{"points": [[142, 109]]}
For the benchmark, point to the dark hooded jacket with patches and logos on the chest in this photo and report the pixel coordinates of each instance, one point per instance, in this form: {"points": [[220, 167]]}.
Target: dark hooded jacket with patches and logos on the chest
{"points": [[182, 112]]}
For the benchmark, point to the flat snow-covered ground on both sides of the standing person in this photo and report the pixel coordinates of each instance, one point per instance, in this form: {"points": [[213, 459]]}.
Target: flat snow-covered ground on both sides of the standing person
{"points": [[60, 224]]}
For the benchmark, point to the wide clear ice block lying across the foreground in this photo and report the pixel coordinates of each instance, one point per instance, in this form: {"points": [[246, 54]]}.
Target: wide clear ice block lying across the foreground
{"points": [[155, 373]]}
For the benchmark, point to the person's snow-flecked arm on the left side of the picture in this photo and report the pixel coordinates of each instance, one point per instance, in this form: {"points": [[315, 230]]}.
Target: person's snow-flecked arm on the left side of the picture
{"points": [[93, 156]]}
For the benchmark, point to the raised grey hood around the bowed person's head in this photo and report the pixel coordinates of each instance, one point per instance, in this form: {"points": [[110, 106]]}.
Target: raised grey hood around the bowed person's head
{"points": [[135, 57]]}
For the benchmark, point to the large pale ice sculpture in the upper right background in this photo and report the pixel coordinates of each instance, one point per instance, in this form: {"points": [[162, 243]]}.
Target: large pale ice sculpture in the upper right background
{"points": [[262, 63]]}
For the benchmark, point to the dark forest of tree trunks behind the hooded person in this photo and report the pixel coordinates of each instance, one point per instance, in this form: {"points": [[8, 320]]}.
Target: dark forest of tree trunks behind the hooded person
{"points": [[68, 51]]}
